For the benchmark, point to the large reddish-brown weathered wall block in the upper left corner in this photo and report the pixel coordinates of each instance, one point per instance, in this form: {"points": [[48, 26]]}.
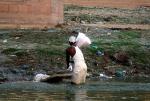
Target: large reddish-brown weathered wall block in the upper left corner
{"points": [[30, 13]]}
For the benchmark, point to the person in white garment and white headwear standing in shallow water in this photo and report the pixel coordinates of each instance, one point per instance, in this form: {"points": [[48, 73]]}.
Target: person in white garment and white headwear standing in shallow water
{"points": [[75, 61]]}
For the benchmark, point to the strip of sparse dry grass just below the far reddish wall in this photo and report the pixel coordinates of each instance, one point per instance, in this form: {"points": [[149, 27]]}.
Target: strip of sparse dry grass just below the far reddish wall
{"points": [[109, 15]]}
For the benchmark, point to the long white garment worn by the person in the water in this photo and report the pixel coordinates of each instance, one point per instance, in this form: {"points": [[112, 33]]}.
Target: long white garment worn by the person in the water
{"points": [[80, 67]]}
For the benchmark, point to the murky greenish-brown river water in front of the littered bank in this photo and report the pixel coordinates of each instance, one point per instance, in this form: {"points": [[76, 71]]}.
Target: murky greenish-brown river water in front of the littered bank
{"points": [[91, 91]]}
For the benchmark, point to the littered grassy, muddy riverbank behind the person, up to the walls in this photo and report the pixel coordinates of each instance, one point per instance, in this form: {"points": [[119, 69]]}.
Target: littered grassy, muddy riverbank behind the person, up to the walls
{"points": [[114, 49]]}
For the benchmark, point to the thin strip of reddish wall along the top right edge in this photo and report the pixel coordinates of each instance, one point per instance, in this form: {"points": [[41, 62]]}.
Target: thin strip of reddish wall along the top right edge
{"points": [[110, 3]]}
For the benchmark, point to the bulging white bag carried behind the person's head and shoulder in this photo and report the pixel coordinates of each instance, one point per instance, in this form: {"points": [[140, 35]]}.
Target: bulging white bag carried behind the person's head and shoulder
{"points": [[82, 40]]}
